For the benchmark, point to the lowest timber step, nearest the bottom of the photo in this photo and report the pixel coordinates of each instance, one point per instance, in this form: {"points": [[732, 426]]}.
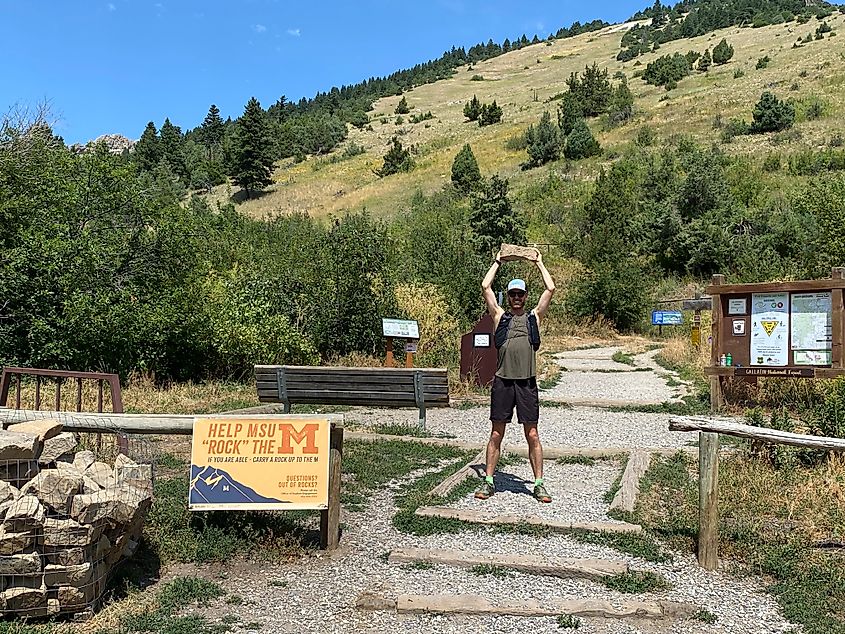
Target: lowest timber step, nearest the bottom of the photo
{"points": [[477, 604]]}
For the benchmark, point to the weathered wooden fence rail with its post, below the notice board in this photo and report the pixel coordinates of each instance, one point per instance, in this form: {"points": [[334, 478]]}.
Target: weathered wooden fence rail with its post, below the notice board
{"points": [[708, 468]]}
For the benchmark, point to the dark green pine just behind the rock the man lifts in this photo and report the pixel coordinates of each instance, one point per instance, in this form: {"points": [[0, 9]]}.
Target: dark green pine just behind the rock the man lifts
{"points": [[494, 219]]}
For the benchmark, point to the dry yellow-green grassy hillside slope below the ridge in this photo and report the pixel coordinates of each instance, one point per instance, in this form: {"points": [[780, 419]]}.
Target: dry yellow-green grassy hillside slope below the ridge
{"points": [[523, 81]]}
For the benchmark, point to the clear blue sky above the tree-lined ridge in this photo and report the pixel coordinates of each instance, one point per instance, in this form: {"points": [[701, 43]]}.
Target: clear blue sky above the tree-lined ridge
{"points": [[111, 66]]}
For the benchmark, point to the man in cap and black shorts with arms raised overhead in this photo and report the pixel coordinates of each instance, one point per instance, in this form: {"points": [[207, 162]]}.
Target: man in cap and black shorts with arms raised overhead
{"points": [[515, 382]]}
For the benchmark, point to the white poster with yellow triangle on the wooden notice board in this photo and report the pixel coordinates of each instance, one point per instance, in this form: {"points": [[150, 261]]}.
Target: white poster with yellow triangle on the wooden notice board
{"points": [[770, 329]]}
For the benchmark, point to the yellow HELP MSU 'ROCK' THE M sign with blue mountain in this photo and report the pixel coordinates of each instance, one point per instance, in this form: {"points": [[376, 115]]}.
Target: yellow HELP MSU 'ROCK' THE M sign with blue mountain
{"points": [[260, 463]]}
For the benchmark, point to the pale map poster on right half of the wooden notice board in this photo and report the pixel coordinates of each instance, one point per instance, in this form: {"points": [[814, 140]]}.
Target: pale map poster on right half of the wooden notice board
{"points": [[811, 328]]}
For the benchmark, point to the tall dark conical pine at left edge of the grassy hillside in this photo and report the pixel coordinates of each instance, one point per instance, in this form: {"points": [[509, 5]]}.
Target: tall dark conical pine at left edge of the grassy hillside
{"points": [[253, 149]]}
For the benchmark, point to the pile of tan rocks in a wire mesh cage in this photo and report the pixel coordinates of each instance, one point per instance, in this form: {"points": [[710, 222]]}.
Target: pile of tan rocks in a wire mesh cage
{"points": [[72, 509]]}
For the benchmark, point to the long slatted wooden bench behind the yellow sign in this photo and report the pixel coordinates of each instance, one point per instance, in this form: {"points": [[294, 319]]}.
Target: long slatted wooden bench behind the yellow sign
{"points": [[374, 387]]}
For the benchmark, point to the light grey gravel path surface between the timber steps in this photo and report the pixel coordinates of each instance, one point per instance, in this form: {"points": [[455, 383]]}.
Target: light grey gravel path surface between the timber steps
{"points": [[318, 594]]}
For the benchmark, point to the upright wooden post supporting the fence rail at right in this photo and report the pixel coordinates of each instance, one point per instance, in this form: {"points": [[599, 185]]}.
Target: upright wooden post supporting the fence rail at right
{"points": [[708, 500]]}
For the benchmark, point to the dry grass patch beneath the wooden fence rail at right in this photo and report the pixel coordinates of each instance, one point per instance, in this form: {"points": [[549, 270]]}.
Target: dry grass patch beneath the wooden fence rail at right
{"points": [[769, 521]]}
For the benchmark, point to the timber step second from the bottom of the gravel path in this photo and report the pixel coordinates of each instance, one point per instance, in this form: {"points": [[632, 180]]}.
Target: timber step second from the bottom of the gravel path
{"points": [[592, 569]]}
